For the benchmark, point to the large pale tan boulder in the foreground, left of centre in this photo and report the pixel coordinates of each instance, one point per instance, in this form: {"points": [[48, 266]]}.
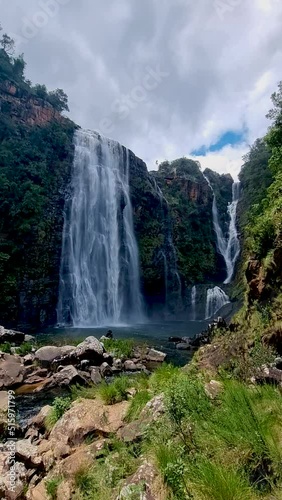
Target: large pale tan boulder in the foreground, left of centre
{"points": [[87, 417]]}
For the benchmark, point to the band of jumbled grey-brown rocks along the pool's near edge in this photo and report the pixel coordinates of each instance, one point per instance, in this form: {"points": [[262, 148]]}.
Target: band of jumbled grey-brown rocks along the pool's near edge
{"points": [[52, 366]]}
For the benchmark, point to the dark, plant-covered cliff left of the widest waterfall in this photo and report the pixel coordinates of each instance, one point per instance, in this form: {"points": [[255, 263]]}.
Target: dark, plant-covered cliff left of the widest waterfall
{"points": [[36, 160]]}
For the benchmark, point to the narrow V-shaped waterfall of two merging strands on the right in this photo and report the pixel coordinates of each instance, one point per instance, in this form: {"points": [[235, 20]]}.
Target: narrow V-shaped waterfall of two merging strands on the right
{"points": [[229, 248]]}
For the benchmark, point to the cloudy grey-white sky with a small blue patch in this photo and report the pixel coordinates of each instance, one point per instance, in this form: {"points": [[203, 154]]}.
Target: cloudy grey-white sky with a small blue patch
{"points": [[166, 78]]}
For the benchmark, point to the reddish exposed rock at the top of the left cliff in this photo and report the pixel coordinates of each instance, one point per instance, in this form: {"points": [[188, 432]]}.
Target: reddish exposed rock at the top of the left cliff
{"points": [[26, 108]]}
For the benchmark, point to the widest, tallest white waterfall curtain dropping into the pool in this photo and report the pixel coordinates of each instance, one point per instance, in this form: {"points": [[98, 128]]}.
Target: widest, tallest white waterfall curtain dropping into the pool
{"points": [[99, 281]]}
